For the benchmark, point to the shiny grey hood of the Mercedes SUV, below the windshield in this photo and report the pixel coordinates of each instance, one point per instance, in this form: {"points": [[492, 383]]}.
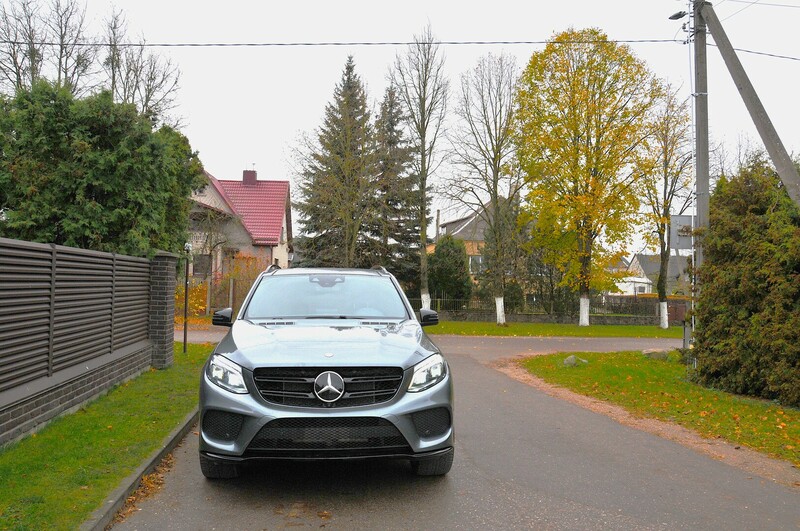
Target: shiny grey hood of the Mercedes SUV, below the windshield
{"points": [[309, 343]]}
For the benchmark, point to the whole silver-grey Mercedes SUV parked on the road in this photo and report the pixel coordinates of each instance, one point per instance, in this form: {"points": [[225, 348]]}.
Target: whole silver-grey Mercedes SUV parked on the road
{"points": [[325, 364]]}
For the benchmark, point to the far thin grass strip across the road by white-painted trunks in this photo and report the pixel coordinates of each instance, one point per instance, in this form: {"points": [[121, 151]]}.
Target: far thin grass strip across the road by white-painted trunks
{"points": [[464, 328]]}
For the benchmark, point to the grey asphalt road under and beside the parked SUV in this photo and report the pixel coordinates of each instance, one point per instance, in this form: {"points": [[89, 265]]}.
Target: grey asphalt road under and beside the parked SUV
{"points": [[523, 460]]}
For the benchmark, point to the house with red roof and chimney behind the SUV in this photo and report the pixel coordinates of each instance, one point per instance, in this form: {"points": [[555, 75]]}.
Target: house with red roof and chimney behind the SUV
{"points": [[250, 218]]}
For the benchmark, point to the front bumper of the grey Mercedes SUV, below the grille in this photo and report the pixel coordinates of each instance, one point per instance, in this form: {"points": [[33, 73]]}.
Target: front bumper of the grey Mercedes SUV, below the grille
{"points": [[245, 415]]}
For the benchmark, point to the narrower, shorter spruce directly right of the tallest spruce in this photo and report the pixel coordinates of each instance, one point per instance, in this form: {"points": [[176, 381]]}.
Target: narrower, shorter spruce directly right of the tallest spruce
{"points": [[393, 233]]}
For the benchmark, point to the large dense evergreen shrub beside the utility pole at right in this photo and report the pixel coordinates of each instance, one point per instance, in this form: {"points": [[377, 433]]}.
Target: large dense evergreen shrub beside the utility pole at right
{"points": [[748, 335]]}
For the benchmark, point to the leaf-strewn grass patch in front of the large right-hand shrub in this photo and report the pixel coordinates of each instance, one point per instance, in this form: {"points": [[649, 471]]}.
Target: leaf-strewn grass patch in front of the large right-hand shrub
{"points": [[659, 389]]}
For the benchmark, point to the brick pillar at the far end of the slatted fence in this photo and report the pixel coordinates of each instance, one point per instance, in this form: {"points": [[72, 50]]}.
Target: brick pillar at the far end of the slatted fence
{"points": [[161, 328]]}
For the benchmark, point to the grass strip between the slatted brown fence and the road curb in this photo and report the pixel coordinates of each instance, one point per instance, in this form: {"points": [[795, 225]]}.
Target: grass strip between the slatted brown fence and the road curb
{"points": [[56, 478]]}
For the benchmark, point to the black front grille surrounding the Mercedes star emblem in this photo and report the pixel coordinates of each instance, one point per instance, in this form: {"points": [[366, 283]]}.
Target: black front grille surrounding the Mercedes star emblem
{"points": [[294, 386]]}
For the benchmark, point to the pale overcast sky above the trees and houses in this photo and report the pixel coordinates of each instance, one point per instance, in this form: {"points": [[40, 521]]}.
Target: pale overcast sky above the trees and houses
{"points": [[247, 107]]}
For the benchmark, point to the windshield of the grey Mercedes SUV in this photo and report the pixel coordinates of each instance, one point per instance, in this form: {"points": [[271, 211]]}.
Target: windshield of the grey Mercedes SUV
{"points": [[327, 295]]}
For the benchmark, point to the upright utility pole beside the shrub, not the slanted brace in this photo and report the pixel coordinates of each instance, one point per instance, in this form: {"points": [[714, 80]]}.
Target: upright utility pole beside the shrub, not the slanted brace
{"points": [[701, 127]]}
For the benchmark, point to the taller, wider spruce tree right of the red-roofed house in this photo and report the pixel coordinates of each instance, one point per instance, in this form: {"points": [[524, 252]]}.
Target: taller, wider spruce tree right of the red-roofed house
{"points": [[337, 180]]}
